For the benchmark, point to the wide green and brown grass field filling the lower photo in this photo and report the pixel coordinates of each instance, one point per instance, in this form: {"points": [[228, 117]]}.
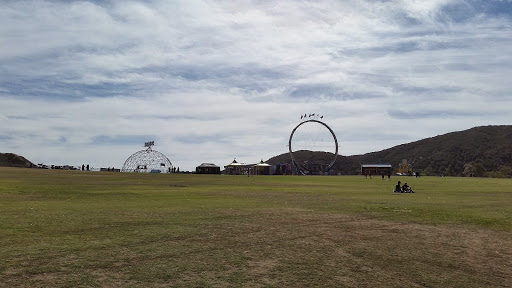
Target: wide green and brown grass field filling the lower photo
{"points": [[95, 229]]}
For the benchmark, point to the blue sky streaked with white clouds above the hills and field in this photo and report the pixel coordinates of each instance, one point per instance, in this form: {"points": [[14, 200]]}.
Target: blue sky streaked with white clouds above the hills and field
{"points": [[88, 82]]}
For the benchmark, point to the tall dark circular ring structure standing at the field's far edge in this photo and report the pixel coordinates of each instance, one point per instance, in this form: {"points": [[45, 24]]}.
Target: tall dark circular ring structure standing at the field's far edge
{"points": [[313, 147]]}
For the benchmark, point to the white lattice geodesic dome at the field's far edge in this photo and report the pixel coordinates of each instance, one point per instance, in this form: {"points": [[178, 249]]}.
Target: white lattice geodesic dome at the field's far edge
{"points": [[147, 161]]}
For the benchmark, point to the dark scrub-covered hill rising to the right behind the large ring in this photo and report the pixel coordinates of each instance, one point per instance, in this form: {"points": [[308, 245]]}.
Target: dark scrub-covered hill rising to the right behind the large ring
{"points": [[481, 151]]}
